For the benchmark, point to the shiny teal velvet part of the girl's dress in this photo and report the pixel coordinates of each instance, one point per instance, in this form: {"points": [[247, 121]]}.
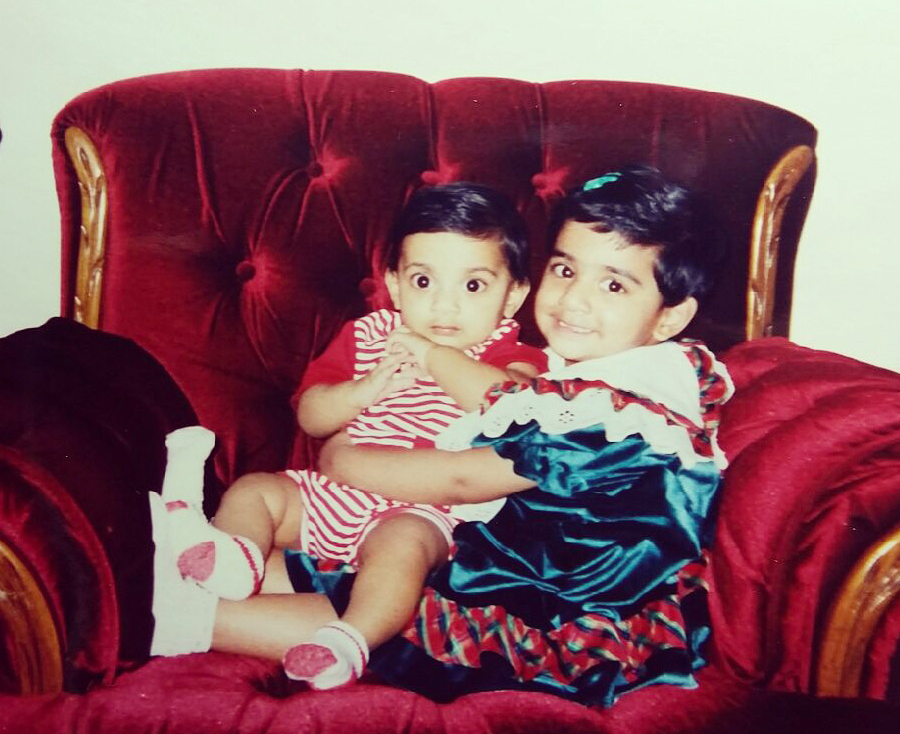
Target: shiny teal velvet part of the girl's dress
{"points": [[616, 523]]}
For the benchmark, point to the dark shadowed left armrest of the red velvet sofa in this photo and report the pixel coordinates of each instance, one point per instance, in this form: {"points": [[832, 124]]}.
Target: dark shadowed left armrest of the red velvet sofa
{"points": [[83, 420]]}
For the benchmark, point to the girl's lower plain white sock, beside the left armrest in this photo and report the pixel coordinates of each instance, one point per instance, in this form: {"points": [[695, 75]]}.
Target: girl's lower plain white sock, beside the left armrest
{"points": [[184, 613]]}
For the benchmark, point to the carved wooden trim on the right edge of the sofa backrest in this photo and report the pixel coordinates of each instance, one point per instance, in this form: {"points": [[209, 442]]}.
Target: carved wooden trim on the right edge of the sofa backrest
{"points": [[765, 237]]}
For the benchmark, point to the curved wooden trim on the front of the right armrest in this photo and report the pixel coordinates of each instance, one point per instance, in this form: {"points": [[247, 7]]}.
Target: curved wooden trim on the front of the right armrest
{"points": [[864, 596]]}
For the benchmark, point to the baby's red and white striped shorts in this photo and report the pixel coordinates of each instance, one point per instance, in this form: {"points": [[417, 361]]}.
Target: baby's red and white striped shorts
{"points": [[337, 518]]}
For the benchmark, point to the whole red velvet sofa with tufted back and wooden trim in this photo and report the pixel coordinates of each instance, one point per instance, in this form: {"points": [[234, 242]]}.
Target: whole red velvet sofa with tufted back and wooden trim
{"points": [[217, 229]]}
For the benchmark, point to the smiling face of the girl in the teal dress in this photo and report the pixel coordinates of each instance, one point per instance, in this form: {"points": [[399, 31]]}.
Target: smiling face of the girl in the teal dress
{"points": [[599, 296]]}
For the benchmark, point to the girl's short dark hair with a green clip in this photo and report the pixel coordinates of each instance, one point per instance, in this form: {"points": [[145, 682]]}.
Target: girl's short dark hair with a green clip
{"points": [[646, 209]]}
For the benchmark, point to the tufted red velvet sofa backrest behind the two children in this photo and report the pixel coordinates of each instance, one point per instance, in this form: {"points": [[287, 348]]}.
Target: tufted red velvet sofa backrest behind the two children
{"points": [[231, 220]]}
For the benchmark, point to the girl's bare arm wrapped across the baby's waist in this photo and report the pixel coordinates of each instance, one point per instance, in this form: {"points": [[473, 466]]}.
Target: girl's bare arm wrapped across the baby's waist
{"points": [[427, 476]]}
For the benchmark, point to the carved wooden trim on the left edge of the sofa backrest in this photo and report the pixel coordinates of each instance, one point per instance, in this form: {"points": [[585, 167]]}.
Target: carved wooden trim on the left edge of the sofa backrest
{"points": [[92, 243]]}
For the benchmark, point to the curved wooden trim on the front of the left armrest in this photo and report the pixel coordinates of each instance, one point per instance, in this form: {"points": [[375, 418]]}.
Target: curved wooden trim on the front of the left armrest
{"points": [[30, 634]]}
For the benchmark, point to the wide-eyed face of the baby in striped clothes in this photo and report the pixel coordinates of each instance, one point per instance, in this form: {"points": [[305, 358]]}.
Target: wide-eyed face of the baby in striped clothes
{"points": [[453, 289]]}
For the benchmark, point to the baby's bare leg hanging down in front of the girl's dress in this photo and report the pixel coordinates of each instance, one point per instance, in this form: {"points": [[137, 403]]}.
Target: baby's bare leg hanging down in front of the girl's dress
{"points": [[396, 557]]}
